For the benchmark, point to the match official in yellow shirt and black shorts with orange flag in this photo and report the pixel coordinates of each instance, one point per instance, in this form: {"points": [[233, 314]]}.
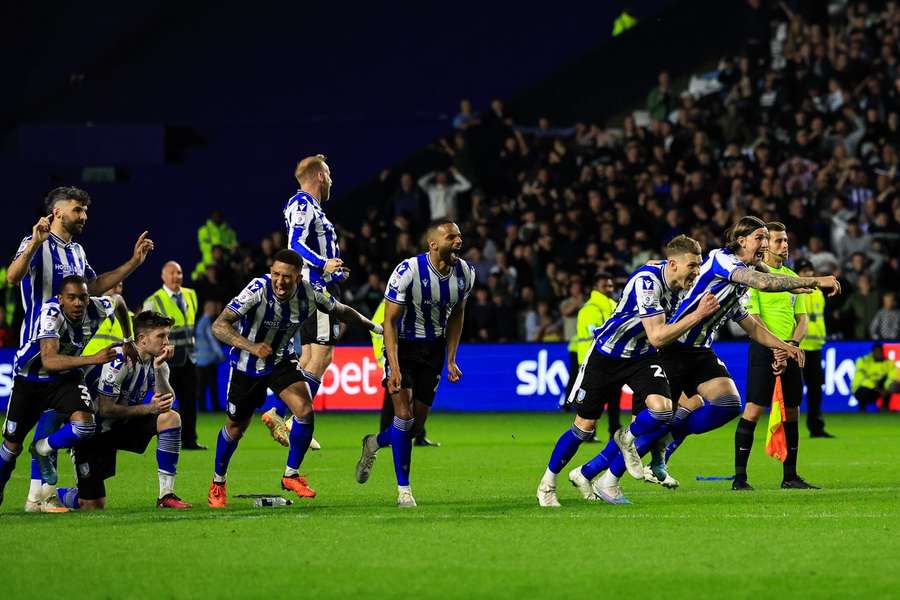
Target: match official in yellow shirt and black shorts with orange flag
{"points": [[784, 314]]}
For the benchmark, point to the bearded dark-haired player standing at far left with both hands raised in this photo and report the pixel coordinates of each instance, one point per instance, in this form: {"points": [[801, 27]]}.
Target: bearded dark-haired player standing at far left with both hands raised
{"points": [[43, 259]]}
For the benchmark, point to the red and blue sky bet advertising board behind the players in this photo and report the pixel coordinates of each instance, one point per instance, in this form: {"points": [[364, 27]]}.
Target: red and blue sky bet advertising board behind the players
{"points": [[515, 377]]}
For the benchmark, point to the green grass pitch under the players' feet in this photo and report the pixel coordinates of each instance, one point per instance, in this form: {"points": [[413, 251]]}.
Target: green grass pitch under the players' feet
{"points": [[478, 531]]}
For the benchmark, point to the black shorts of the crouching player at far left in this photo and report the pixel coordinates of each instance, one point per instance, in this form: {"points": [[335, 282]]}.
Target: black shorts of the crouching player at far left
{"points": [[31, 398]]}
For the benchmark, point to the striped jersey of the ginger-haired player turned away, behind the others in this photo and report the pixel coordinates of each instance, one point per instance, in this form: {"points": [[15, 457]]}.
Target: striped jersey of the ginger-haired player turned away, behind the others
{"points": [[312, 236]]}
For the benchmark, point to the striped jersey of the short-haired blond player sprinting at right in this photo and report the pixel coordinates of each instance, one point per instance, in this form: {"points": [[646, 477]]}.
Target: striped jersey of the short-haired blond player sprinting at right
{"points": [[646, 294]]}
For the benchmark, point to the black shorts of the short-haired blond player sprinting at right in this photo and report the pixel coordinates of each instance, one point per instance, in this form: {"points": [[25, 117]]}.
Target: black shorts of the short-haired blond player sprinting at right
{"points": [[600, 379]]}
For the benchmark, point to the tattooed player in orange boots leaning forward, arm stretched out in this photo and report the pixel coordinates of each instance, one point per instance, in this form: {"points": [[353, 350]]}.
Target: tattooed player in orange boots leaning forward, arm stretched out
{"points": [[267, 313]]}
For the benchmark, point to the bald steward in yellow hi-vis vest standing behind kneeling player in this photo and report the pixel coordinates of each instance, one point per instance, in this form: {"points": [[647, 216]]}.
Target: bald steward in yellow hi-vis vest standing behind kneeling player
{"points": [[180, 303]]}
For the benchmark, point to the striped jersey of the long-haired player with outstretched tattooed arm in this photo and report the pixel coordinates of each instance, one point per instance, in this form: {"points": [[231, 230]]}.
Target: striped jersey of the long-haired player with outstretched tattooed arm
{"points": [[714, 278]]}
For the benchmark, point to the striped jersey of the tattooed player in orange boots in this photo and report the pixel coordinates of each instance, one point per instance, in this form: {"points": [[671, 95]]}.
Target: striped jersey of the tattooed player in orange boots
{"points": [[266, 319]]}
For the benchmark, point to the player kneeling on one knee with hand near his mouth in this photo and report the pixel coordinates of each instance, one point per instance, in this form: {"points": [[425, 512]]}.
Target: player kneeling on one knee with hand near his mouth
{"points": [[126, 422]]}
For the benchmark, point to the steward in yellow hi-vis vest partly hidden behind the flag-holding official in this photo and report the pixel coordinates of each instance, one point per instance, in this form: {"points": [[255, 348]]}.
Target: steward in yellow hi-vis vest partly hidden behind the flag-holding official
{"points": [[813, 375]]}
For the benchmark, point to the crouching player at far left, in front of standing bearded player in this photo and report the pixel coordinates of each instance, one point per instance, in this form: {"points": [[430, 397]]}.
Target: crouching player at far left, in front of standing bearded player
{"points": [[48, 375]]}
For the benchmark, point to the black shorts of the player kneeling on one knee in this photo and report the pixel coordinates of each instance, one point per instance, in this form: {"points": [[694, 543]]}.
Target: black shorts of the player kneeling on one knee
{"points": [[95, 459]]}
